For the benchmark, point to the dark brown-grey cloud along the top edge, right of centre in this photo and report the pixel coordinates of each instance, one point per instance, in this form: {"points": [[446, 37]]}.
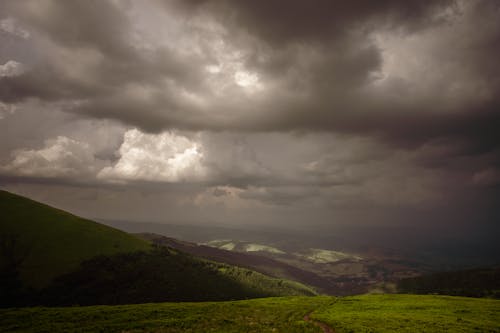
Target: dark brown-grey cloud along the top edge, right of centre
{"points": [[282, 22]]}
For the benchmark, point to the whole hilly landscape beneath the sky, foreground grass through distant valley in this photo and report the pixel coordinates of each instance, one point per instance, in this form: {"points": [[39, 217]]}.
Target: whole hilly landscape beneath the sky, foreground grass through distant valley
{"points": [[148, 282]]}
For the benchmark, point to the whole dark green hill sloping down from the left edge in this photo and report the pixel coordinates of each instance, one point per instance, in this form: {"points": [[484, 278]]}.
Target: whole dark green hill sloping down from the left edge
{"points": [[51, 257]]}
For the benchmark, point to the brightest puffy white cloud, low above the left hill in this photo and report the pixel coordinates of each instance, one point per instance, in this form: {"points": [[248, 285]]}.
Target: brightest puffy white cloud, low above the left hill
{"points": [[157, 157]]}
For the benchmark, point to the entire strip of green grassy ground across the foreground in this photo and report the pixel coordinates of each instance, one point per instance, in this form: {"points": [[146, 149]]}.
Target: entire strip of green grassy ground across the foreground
{"points": [[368, 313]]}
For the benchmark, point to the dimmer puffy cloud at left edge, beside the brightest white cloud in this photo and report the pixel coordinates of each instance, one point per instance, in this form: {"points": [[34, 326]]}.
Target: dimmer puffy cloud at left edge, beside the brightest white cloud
{"points": [[60, 157]]}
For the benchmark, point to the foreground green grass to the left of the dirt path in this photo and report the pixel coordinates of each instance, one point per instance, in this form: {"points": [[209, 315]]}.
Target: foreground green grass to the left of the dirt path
{"points": [[284, 314]]}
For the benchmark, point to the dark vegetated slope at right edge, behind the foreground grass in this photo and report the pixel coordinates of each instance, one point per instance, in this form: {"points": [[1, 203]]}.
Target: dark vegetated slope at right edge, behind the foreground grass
{"points": [[472, 283]]}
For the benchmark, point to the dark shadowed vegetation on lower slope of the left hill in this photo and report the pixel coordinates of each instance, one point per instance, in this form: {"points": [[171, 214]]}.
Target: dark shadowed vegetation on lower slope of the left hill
{"points": [[162, 275]]}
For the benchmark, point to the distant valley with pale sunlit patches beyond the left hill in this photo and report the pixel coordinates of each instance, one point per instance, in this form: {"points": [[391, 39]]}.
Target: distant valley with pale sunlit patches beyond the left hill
{"points": [[329, 271]]}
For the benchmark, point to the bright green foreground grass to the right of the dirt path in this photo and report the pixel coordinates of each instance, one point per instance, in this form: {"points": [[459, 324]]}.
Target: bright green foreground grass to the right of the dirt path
{"points": [[411, 313]]}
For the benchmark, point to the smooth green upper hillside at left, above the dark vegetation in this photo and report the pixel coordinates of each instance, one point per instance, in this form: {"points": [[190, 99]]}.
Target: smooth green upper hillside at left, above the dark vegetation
{"points": [[46, 242]]}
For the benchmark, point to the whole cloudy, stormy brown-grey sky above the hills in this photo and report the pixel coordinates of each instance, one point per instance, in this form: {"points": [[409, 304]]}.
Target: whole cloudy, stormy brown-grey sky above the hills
{"points": [[287, 114]]}
